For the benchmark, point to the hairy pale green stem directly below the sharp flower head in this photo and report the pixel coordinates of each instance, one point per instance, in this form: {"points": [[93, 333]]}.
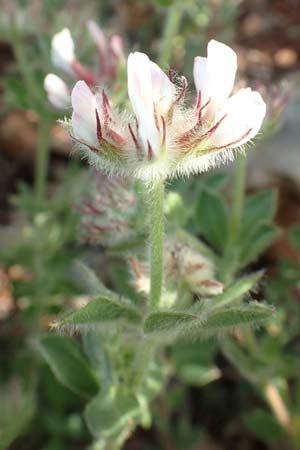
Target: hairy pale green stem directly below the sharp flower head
{"points": [[156, 235]]}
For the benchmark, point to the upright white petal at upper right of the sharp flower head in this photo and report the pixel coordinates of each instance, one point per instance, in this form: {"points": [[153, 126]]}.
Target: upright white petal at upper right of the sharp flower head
{"points": [[214, 76]]}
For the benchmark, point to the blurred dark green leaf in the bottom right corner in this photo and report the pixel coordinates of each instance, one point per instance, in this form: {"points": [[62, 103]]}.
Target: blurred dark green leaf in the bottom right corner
{"points": [[264, 426]]}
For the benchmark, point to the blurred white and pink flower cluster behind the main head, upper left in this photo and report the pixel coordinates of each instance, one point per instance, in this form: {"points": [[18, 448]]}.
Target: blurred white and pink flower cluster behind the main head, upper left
{"points": [[110, 54]]}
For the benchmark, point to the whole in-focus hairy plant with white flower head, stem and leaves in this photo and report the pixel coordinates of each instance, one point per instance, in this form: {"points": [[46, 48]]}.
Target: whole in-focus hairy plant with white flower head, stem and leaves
{"points": [[176, 290]]}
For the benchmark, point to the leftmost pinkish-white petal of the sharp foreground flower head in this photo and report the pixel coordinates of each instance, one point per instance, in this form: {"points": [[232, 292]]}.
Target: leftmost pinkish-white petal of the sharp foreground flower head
{"points": [[84, 114]]}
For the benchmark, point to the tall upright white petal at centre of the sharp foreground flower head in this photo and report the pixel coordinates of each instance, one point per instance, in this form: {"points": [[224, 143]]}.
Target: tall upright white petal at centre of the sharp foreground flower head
{"points": [[141, 96]]}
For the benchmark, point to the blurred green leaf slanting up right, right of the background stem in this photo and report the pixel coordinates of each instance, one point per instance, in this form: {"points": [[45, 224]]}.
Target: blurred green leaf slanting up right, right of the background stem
{"points": [[256, 243]]}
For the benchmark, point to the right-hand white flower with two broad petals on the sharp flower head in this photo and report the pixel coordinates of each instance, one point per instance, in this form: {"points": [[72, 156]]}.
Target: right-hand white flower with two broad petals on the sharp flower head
{"points": [[240, 116]]}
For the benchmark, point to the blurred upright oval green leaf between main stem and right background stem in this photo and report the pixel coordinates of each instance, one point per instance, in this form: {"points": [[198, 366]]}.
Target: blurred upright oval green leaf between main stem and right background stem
{"points": [[212, 218]]}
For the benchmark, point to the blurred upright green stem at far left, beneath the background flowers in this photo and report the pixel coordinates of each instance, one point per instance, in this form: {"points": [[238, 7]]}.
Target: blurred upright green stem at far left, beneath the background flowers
{"points": [[42, 157]]}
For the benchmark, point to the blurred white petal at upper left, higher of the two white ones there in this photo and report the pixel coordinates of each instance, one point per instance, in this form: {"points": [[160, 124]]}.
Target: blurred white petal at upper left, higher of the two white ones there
{"points": [[62, 51]]}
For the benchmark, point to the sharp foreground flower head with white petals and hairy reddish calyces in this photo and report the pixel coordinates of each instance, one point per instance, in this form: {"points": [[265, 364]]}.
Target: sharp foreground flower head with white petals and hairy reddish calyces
{"points": [[164, 137]]}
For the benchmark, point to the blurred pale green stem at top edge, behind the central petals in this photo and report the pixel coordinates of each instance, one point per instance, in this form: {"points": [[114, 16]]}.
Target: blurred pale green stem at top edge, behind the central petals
{"points": [[173, 17]]}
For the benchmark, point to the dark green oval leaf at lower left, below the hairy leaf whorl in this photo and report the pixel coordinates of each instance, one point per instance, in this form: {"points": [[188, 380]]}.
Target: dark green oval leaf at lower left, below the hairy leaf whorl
{"points": [[68, 364]]}
